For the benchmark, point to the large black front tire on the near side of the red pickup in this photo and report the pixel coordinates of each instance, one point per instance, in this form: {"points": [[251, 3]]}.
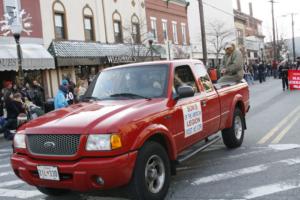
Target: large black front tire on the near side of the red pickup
{"points": [[139, 188]]}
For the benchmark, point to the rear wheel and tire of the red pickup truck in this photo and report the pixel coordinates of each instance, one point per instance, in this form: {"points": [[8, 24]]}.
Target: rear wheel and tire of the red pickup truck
{"points": [[233, 137]]}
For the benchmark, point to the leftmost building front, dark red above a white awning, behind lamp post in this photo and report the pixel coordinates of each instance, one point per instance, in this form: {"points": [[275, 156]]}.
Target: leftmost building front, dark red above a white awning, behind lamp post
{"points": [[36, 60]]}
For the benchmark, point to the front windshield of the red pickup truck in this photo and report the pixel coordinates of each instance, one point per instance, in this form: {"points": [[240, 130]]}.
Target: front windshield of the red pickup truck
{"points": [[131, 83]]}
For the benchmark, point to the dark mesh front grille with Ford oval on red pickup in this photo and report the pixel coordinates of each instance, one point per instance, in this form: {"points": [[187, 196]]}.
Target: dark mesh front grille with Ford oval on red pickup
{"points": [[53, 145]]}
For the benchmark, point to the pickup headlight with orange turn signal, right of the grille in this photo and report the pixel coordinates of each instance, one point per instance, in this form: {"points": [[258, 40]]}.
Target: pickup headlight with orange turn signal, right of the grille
{"points": [[103, 142]]}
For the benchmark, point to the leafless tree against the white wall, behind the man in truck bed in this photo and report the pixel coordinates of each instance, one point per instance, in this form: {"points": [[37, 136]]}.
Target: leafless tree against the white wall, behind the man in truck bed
{"points": [[218, 36]]}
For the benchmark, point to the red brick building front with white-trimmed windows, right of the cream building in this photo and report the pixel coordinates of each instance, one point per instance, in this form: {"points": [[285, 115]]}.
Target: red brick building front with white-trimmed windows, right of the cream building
{"points": [[168, 24]]}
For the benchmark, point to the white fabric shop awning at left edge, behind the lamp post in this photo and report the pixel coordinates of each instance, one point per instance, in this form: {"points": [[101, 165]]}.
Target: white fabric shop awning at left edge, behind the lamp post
{"points": [[35, 57]]}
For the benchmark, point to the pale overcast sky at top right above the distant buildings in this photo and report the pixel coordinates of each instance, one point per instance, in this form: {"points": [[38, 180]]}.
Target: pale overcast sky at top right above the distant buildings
{"points": [[262, 11]]}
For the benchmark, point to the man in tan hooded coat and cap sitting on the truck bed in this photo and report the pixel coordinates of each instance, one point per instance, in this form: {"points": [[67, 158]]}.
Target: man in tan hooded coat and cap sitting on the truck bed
{"points": [[232, 65]]}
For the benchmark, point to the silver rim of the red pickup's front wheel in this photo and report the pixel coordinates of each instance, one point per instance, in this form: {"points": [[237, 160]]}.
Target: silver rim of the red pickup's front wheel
{"points": [[155, 174]]}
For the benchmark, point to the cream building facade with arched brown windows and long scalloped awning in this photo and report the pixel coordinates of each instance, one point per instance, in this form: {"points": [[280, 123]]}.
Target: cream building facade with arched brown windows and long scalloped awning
{"points": [[88, 35]]}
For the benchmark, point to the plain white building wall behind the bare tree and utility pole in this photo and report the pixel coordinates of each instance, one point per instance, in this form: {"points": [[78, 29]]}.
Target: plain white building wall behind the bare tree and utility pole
{"points": [[219, 28]]}
